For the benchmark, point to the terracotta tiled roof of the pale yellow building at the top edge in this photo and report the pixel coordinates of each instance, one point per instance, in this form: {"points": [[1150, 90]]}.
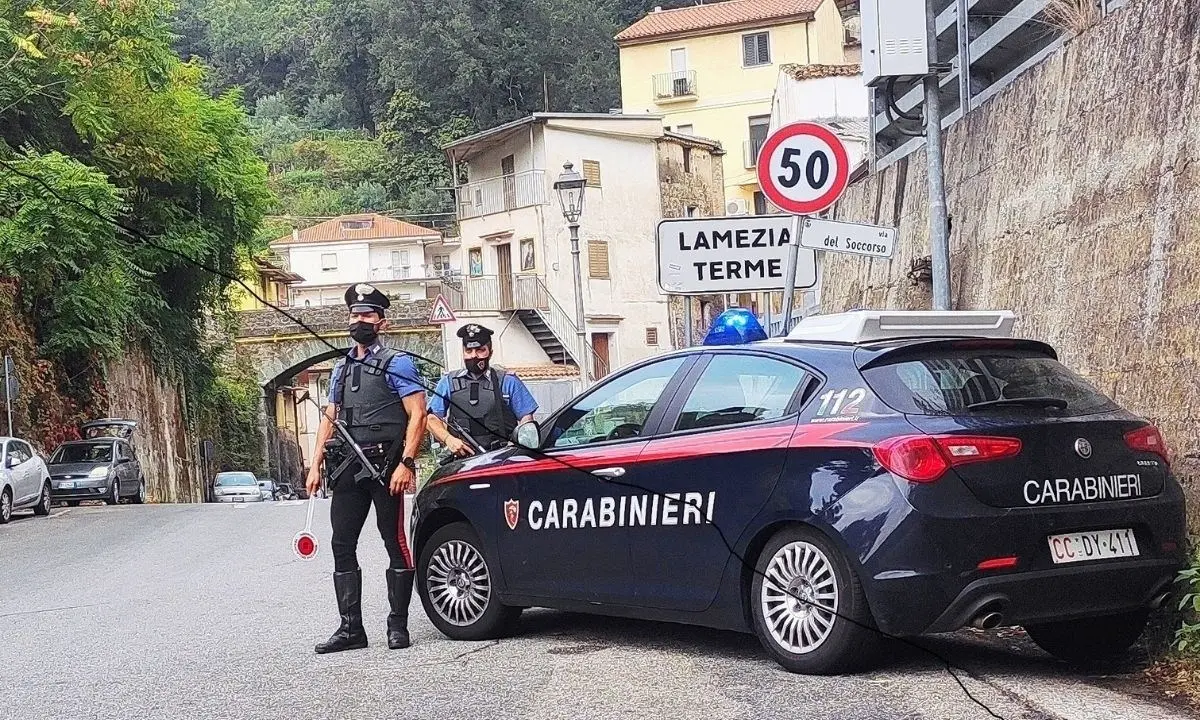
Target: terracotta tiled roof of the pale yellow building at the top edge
{"points": [[716, 15]]}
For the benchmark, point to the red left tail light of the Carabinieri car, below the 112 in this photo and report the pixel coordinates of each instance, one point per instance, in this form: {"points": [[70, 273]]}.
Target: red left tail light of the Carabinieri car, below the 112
{"points": [[925, 459]]}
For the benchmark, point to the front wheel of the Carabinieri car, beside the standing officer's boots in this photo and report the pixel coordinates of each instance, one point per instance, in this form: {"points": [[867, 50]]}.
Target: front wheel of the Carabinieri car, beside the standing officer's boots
{"points": [[458, 589]]}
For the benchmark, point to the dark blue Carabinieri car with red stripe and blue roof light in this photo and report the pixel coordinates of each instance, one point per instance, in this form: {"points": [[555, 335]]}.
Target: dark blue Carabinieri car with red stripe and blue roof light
{"points": [[899, 473]]}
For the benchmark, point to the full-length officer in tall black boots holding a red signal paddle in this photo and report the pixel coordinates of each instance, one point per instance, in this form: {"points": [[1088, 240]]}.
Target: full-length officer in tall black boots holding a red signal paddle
{"points": [[380, 398]]}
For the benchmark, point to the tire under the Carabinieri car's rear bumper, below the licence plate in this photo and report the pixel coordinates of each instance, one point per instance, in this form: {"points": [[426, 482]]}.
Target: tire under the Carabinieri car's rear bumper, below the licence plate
{"points": [[1090, 641]]}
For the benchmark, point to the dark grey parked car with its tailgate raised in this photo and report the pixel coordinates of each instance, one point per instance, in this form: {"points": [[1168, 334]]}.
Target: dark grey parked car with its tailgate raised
{"points": [[103, 467]]}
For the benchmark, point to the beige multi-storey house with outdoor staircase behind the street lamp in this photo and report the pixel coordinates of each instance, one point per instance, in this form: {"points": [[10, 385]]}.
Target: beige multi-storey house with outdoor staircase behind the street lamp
{"points": [[517, 245]]}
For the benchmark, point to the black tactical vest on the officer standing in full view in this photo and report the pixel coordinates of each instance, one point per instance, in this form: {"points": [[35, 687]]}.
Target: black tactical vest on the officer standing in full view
{"points": [[371, 411]]}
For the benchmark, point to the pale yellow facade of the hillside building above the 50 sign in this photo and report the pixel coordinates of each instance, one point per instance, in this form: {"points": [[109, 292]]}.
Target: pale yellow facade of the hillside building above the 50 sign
{"points": [[728, 93]]}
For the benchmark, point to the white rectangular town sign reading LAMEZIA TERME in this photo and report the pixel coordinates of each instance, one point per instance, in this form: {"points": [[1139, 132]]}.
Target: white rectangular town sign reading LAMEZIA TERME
{"points": [[730, 255]]}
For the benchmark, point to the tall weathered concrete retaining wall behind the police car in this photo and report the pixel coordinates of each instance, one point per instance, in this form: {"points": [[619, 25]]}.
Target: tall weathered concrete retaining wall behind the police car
{"points": [[1076, 202]]}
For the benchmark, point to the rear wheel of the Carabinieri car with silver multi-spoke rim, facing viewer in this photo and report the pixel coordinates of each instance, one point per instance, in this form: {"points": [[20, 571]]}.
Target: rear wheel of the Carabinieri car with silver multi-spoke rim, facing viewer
{"points": [[833, 633]]}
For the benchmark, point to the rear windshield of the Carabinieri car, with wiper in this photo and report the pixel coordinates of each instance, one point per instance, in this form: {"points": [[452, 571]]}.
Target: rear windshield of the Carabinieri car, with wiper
{"points": [[982, 382]]}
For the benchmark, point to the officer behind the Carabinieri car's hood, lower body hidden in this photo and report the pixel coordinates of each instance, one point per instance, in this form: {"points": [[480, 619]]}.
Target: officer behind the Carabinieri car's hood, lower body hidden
{"points": [[485, 400]]}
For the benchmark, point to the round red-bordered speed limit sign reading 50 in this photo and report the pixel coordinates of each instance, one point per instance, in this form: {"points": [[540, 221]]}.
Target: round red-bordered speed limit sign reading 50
{"points": [[803, 169]]}
